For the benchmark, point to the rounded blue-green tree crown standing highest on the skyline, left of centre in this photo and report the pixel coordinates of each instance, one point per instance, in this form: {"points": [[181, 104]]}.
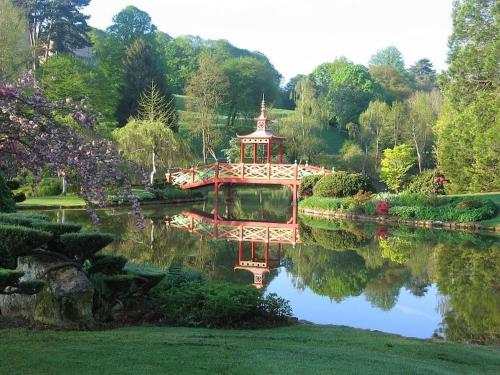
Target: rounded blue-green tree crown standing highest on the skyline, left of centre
{"points": [[131, 24]]}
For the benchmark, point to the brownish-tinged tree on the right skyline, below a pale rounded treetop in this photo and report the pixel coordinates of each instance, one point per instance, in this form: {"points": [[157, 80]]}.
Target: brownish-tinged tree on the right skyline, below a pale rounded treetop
{"points": [[397, 84]]}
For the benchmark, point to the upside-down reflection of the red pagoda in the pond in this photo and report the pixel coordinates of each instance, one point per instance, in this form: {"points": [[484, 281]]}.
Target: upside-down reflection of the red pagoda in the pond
{"points": [[258, 266]]}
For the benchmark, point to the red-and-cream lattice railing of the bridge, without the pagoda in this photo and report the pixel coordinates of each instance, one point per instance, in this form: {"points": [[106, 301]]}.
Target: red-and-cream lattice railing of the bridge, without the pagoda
{"points": [[242, 171]]}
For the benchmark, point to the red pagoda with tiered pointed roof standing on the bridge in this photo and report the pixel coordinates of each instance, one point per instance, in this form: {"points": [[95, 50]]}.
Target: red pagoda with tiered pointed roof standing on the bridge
{"points": [[262, 136]]}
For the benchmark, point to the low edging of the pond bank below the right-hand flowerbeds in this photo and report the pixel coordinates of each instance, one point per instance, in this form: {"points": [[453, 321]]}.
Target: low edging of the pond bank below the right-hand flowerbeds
{"points": [[394, 220]]}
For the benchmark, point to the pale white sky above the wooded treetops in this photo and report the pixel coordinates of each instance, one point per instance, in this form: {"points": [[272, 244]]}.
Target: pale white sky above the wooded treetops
{"points": [[298, 35]]}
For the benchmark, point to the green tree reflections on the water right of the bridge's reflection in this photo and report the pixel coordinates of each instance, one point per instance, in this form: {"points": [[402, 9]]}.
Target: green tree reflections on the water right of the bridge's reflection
{"points": [[338, 260]]}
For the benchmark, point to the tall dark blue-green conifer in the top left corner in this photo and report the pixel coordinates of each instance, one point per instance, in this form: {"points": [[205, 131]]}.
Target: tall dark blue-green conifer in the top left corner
{"points": [[55, 26]]}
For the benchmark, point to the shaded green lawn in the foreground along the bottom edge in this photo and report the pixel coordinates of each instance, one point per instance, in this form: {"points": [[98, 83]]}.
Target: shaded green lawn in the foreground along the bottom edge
{"points": [[303, 349]]}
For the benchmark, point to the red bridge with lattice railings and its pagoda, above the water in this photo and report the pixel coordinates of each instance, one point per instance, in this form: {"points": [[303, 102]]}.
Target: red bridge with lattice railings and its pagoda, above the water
{"points": [[262, 169]]}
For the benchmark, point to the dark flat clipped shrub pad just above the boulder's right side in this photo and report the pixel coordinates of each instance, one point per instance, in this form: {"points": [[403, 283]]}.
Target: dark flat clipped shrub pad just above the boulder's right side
{"points": [[84, 245]]}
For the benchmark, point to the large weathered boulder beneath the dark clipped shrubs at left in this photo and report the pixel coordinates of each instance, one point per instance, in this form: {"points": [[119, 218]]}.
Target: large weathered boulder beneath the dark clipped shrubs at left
{"points": [[66, 301]]}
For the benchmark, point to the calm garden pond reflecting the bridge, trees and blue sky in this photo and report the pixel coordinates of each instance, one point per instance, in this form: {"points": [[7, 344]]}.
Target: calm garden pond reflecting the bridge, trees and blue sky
{"points": [[407, 281]]}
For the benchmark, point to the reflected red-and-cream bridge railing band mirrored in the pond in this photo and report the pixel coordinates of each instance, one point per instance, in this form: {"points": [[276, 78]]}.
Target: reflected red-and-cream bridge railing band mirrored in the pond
{"points": [[233, 230]]}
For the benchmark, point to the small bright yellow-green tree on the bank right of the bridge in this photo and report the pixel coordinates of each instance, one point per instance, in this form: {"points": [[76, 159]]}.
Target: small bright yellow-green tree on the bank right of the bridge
{"points": [[395, 166]]}
